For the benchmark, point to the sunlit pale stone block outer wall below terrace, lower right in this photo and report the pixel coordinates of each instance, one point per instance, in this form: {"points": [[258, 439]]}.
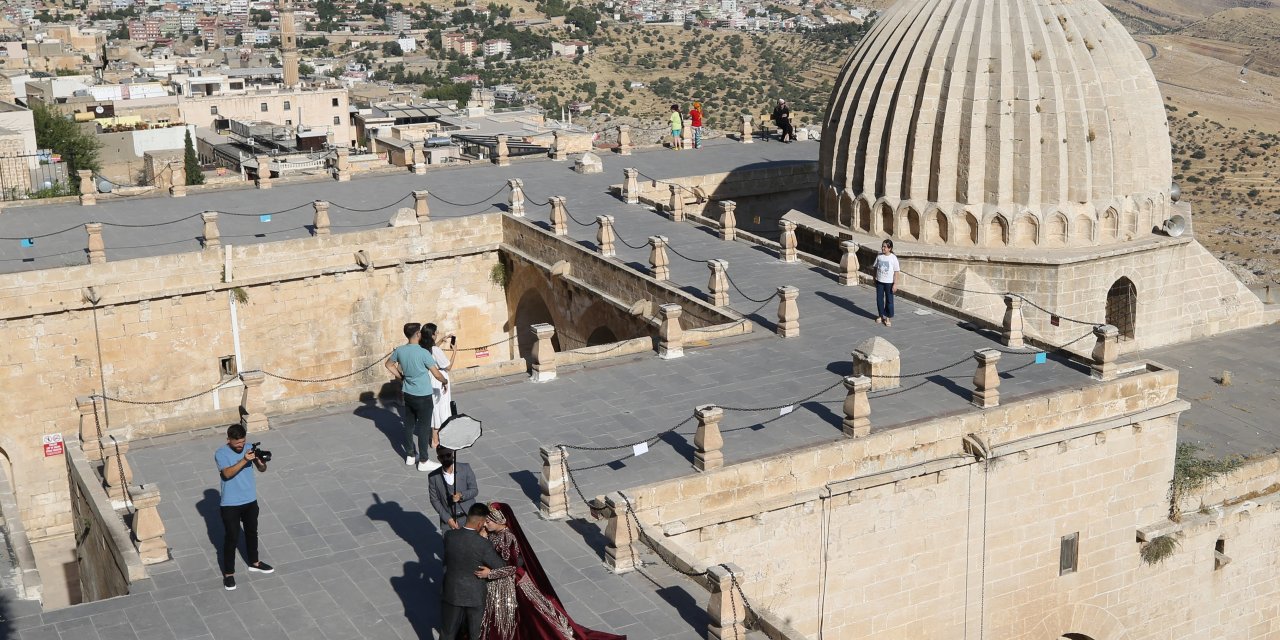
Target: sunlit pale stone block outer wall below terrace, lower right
{"points": [[924, 540]]}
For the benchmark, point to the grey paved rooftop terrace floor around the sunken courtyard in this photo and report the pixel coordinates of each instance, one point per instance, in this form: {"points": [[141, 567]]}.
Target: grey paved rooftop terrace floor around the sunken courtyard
{"points": [[350, 527]]}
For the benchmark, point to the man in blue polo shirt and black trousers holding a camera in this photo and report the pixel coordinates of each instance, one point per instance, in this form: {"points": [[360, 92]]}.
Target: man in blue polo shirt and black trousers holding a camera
{"points": [[240, 501]]}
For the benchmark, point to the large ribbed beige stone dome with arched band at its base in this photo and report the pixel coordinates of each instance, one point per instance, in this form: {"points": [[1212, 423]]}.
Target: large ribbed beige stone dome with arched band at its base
{"points": [[998, 124]]}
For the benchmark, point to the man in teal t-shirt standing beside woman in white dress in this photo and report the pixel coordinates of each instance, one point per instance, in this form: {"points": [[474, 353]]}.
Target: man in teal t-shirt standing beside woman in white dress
{"points": [[414, 365]]}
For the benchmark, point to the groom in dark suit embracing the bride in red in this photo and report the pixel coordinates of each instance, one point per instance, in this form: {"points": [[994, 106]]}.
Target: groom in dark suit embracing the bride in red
{"points": [[468, 560]]}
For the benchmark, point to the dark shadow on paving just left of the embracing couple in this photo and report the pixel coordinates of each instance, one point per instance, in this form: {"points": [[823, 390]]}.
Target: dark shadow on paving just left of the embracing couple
{"points": [[417, 591]]}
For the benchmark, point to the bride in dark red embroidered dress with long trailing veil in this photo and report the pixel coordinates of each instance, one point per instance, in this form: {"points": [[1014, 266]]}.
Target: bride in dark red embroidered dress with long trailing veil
{"points": [[522, 604]]}
